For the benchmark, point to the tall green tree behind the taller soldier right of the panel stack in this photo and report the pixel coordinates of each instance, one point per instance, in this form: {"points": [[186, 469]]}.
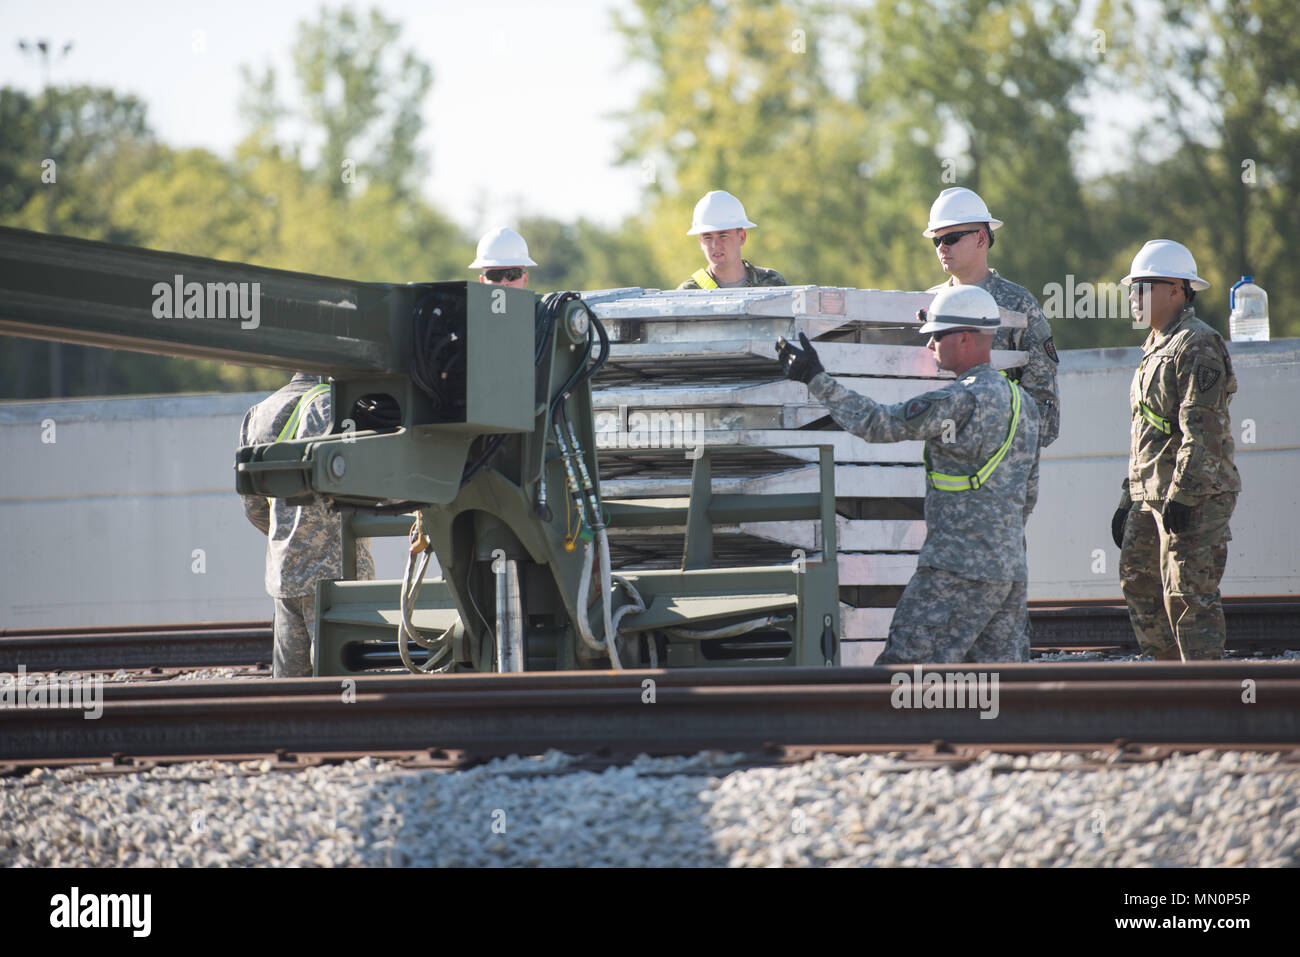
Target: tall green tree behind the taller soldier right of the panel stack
{"points": [[982, 94]]}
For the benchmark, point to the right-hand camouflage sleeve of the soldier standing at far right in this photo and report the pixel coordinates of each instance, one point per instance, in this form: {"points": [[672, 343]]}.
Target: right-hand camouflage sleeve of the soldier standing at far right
{"points": [[1203, 421]]}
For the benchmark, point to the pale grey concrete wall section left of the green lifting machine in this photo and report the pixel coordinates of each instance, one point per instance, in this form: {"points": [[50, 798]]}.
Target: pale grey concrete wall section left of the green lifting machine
{"points": [[123, 512]]}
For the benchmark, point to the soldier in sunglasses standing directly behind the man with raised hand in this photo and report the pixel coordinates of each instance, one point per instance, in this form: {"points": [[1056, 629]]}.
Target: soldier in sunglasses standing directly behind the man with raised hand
{"points": [[963, 232]]}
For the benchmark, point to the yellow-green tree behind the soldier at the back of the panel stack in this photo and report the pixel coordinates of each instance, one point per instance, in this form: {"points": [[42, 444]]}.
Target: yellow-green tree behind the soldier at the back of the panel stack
{"points": [[734, 103]]}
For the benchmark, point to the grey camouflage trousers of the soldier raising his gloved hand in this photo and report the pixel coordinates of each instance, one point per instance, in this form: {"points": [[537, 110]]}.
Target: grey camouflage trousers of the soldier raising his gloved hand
{"points": [[947, 618]]}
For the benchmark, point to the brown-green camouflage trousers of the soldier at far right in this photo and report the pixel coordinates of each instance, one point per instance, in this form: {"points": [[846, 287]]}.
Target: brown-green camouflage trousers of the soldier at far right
{"points": [[1171, 582]]}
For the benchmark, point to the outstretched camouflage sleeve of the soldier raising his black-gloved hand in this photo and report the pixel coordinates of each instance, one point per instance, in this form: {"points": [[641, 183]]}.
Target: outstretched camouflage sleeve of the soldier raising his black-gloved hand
{"points": [[924, 417]]}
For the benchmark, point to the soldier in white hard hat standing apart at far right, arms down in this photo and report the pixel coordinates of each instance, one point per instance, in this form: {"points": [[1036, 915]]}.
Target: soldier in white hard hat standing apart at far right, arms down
{"points": [[1172, 525]]}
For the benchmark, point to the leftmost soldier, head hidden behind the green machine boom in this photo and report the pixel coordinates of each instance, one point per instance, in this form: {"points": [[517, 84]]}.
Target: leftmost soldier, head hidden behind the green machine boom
{"points": [[305, 544]]}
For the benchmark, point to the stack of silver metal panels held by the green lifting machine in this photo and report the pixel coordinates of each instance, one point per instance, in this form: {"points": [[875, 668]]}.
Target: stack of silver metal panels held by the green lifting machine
{"points": [[691, 369]]}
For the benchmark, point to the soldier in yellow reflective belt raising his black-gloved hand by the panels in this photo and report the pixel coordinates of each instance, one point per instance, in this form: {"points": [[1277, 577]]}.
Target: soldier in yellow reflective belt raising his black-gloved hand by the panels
{"points": [[968, 600]]}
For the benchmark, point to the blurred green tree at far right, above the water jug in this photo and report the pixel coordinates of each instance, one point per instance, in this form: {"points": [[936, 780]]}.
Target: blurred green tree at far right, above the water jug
{"points": [[1219, 158]]}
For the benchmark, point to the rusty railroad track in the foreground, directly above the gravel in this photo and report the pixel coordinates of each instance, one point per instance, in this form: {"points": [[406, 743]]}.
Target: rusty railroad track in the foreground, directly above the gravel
{"points": [[1035, 705]]}
